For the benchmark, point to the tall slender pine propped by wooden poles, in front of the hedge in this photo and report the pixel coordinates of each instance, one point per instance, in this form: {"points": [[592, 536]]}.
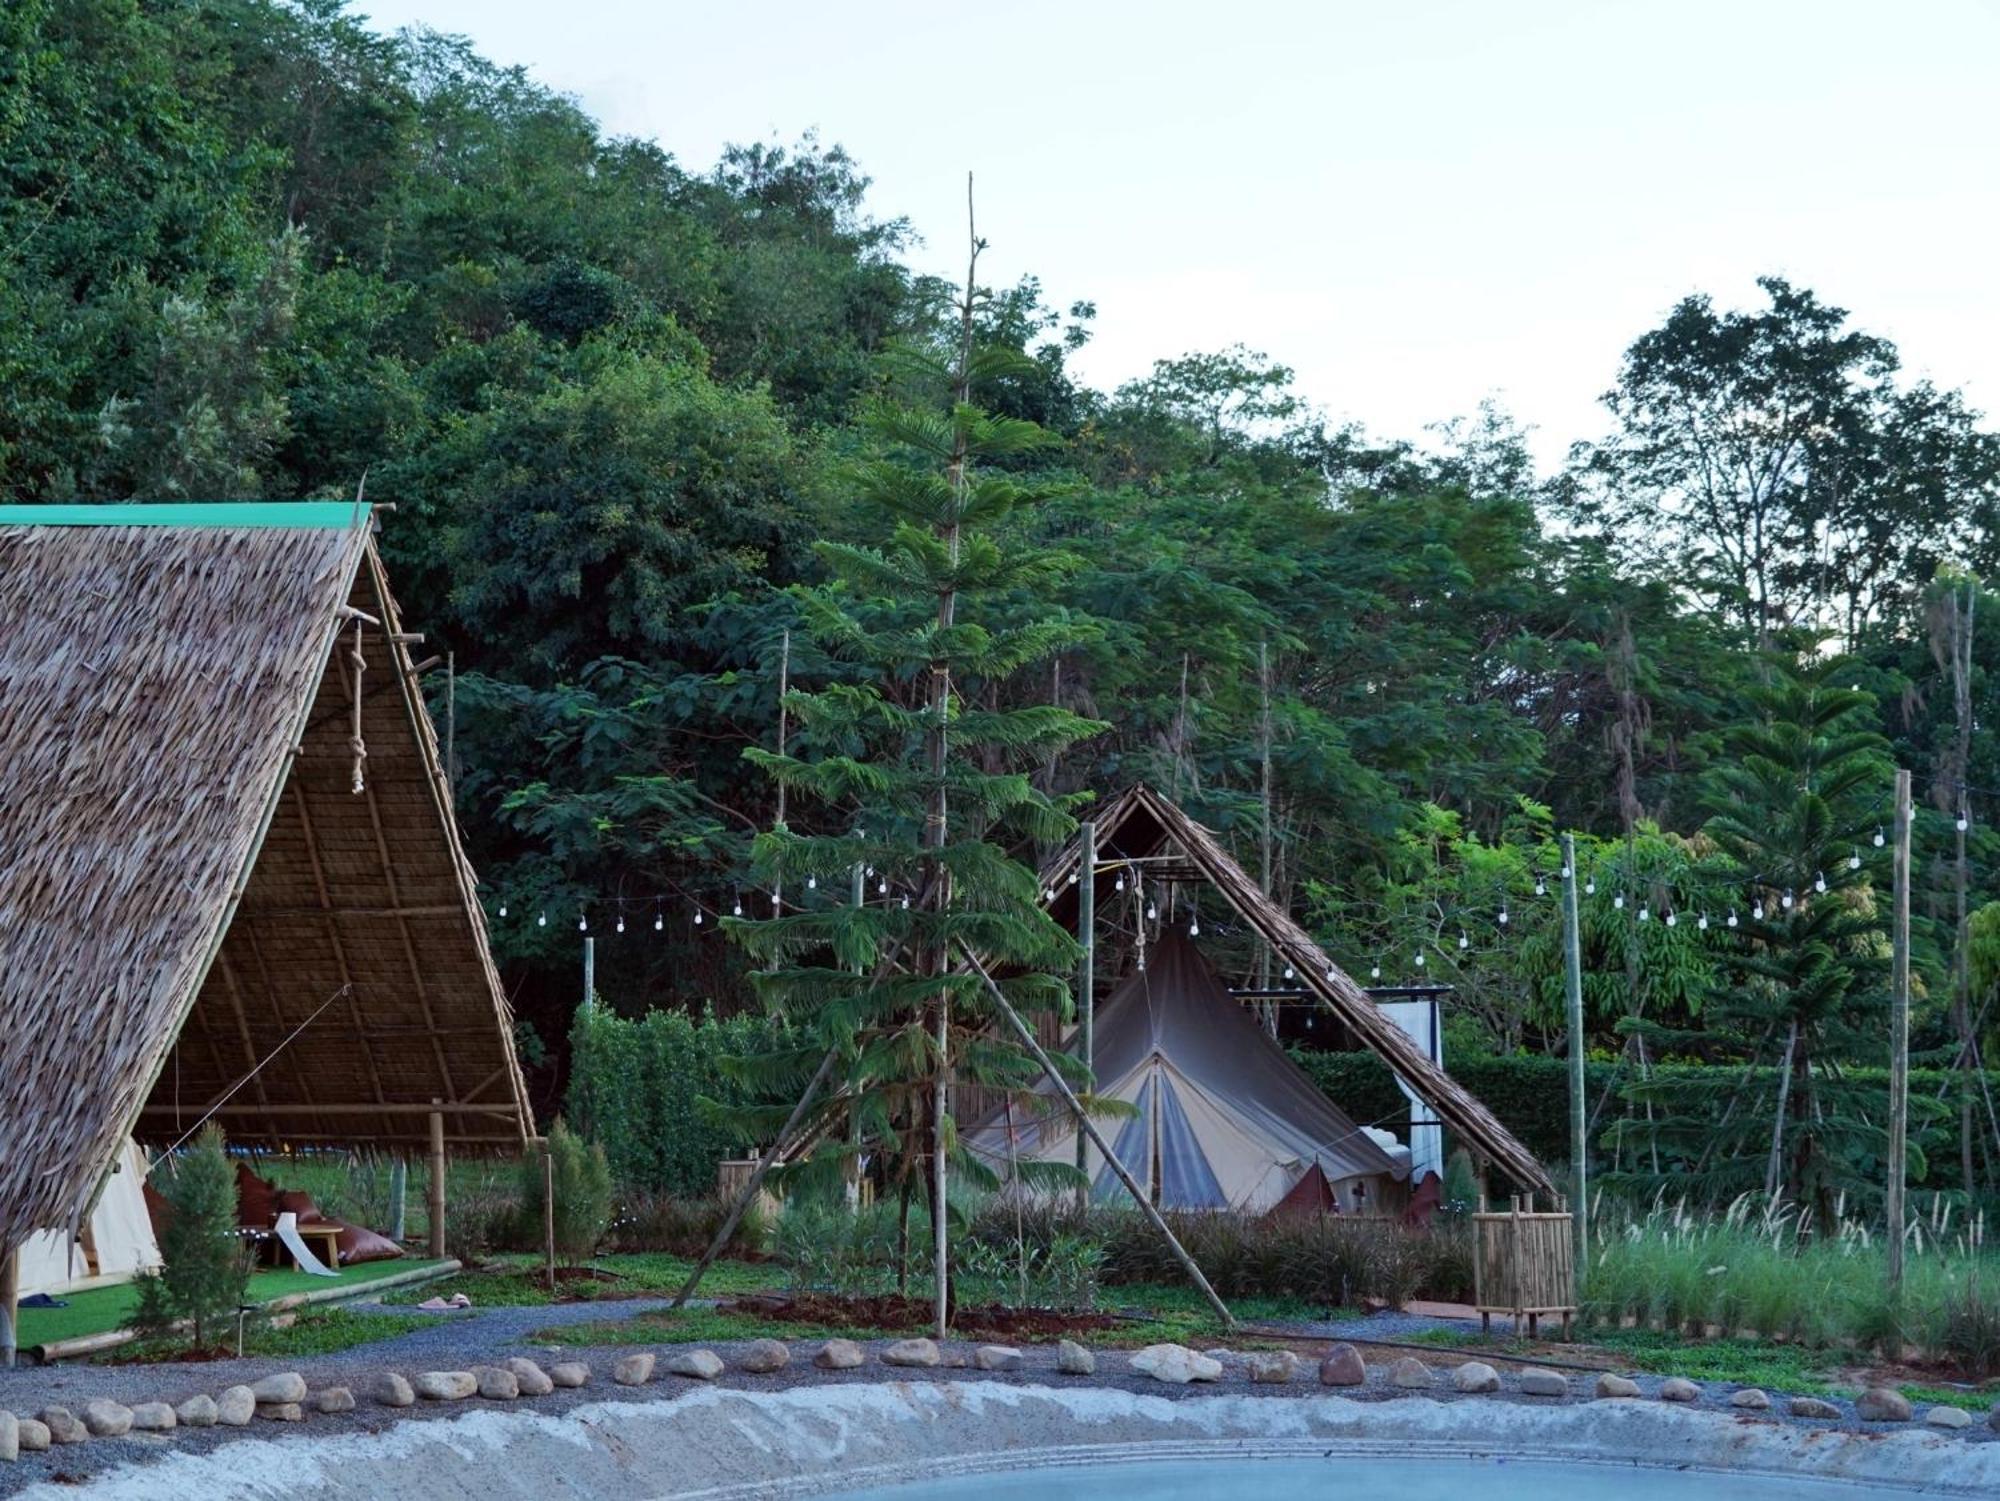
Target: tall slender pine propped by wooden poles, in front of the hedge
{"points": [[917, 782]]}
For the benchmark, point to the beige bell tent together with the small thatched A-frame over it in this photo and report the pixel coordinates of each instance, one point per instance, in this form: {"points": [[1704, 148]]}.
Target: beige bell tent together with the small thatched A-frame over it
{"points": [[1223, 1116]]}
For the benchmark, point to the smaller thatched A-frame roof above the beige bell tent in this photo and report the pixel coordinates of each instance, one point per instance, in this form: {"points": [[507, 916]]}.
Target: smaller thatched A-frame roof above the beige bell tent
{"points": [[1141, 824]]}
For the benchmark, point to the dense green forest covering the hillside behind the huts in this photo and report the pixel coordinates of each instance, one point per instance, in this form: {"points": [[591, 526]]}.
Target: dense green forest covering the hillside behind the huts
{"points": [[257, 249]]}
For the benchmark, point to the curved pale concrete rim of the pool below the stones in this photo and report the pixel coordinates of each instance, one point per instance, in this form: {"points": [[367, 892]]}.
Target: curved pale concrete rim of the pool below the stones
{"points": [[853, 1440]]}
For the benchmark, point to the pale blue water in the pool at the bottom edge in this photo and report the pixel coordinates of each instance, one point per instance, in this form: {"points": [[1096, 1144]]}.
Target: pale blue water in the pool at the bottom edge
{"points": [[1367, 1480]]}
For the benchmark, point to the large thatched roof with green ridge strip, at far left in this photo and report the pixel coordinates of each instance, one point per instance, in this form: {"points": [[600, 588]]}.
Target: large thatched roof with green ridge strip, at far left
{"points": [[191, 888]]}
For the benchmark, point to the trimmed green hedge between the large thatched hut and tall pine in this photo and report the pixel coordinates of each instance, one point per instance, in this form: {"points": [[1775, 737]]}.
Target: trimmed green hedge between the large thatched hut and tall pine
{"points": [[635, 1090]]}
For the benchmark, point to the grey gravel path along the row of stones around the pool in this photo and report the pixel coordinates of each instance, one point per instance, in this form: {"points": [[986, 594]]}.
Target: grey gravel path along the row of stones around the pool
{"points": [[489, 1336]]}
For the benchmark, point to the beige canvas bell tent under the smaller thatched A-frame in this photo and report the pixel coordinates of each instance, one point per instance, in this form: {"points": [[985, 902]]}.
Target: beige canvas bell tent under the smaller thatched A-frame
{"points": [[1223, 1120]]}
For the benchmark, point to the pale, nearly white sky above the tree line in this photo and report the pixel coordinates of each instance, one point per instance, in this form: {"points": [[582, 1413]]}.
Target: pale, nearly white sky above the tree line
{"points": [[1413, 205]]}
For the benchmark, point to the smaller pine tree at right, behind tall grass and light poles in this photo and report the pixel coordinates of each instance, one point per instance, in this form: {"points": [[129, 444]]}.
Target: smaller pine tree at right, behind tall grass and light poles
{"points": [[1797, 804]]}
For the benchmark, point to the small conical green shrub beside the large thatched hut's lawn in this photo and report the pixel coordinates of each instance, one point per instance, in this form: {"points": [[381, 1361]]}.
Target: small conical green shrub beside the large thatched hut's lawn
{"points": [[207, 1264]]}
